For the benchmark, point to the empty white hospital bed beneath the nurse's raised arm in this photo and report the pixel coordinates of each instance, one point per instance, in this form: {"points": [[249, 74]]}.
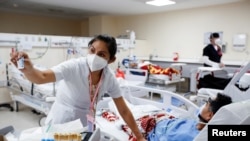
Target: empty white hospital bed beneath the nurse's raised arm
{"points": [[39, 97]]}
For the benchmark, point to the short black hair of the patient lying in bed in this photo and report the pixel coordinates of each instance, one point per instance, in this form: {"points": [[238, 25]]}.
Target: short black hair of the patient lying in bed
{"points": [[220, 101]]}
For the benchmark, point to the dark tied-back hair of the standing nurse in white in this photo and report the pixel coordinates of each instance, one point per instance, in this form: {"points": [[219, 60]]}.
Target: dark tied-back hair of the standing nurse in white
{"points": [[110, 42]]}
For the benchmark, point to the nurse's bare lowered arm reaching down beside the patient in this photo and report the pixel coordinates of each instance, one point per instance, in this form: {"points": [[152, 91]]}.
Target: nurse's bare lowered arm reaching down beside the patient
{"points": [[128, 117]]}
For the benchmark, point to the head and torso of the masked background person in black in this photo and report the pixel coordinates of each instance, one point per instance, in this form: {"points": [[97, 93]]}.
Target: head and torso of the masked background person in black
{"points": [[212, 53]]}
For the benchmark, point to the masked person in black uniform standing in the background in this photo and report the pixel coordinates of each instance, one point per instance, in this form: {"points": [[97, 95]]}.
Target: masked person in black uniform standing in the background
{"points": [[211, 57]]}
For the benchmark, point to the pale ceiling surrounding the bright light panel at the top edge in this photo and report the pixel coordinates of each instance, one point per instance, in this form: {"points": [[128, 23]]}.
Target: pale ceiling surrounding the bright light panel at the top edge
{"points": [[81, 9]]}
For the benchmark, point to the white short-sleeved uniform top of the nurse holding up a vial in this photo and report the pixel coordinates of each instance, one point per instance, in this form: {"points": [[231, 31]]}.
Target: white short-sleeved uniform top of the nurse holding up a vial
{"points": [[72, 96]]}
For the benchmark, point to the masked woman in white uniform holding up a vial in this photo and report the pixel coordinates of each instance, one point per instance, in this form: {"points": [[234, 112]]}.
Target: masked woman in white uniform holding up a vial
{"points": [[84, 81]]}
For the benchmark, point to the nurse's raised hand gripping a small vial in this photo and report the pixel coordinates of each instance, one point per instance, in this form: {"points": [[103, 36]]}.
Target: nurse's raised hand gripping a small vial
{"points": [[17, 56]]}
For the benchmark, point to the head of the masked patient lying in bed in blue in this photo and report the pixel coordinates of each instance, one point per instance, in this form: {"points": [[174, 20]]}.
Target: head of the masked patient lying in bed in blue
{"points": [[212, 106]]}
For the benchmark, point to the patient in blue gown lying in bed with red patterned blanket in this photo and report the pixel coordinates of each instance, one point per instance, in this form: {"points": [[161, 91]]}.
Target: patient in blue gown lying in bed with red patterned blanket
{"points": [[162, 128]]}
